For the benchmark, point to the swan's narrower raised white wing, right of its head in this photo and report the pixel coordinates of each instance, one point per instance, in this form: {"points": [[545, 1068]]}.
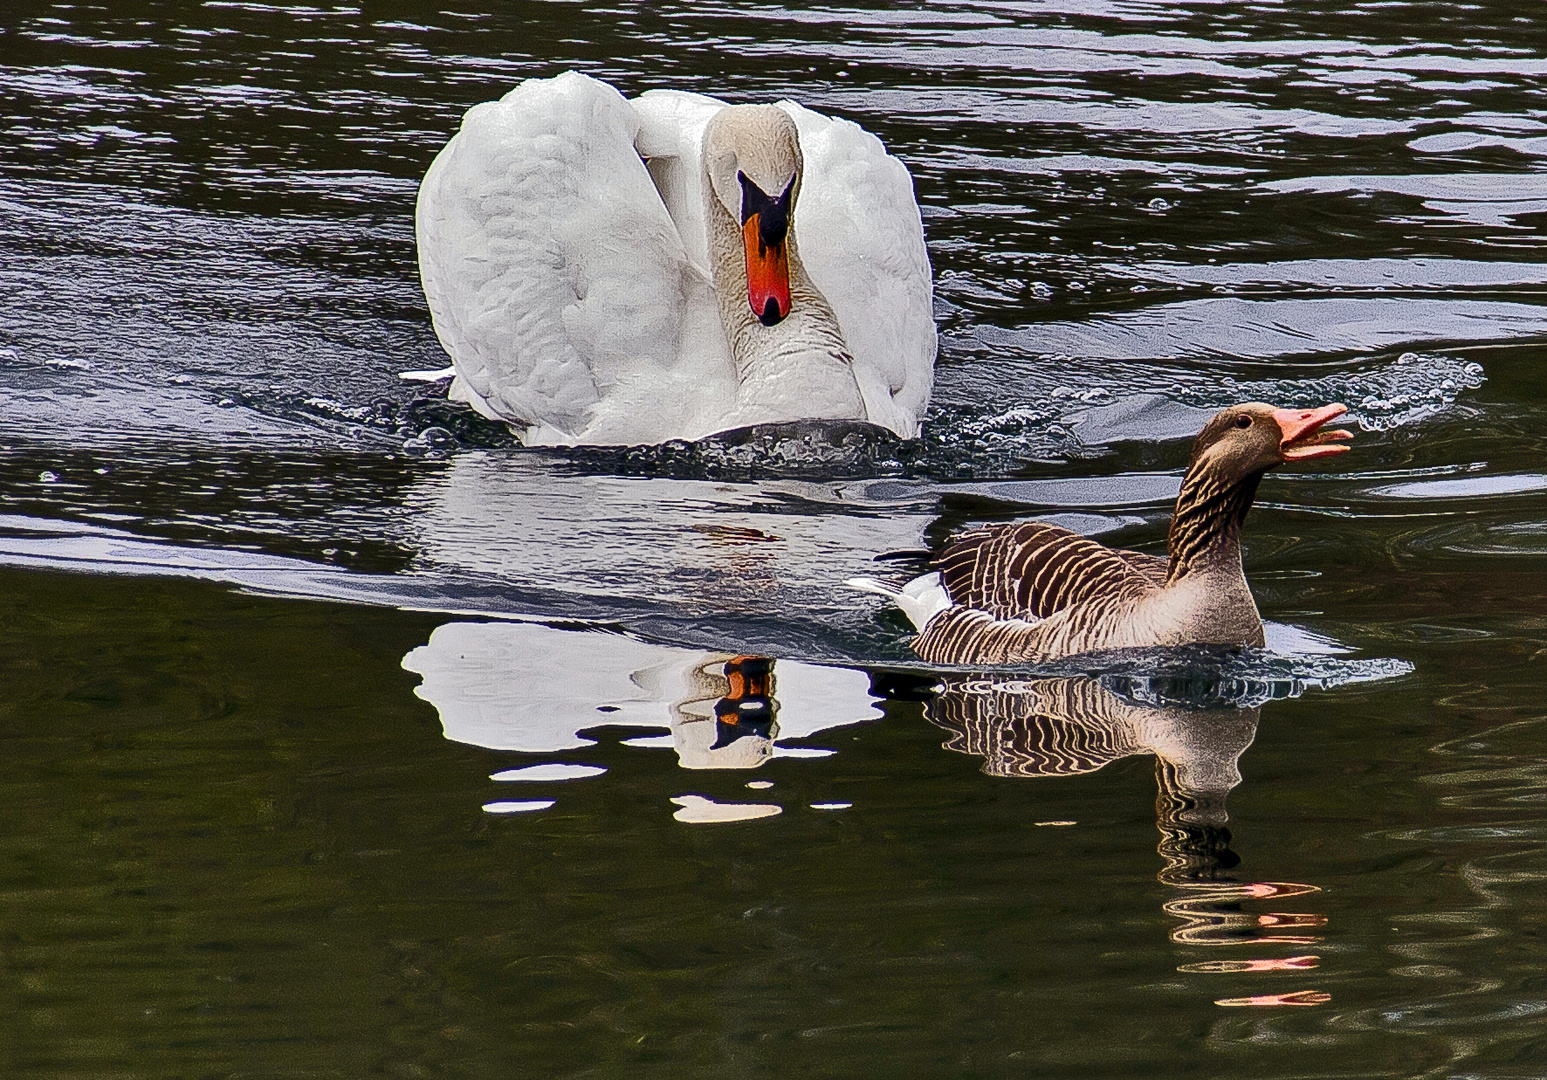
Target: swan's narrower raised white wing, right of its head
{"points": [[861, 238]]}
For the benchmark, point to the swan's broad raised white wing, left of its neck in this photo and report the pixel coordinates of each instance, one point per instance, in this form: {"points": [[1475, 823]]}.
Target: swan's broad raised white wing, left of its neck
{"points": [[556, 278]]}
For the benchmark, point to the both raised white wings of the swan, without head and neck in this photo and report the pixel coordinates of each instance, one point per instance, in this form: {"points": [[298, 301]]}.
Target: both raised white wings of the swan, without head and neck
{"points": [[570, 281]]}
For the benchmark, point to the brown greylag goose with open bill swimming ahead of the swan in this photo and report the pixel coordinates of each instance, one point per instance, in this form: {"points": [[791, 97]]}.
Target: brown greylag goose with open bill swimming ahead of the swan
{"points": [[1030, 592]]}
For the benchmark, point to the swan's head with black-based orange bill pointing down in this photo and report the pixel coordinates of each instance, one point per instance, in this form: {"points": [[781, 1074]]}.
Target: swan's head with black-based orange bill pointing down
{"points": [[753, 162]]}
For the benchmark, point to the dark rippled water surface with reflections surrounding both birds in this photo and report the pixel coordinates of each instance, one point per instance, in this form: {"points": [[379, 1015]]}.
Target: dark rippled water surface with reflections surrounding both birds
{"points": [[275, 620]]}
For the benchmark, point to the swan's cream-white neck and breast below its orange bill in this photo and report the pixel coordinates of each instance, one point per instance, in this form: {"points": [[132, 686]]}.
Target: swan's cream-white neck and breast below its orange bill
{"points": [[801, 360]]}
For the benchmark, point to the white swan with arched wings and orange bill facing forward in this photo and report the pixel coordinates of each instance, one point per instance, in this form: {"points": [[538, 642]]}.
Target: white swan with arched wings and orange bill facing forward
{"points": [[609, 272]]}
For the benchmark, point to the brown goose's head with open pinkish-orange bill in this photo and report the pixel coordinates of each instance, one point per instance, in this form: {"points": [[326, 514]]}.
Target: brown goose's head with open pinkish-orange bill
{"points": [[1248, 440]]}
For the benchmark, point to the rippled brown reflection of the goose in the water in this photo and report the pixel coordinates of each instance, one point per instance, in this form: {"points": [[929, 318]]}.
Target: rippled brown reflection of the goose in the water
{"points": [[1070, 726]]}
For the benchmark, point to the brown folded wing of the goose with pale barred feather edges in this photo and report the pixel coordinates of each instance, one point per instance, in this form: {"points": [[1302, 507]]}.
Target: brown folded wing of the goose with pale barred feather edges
{"points": [[1031, 572]]}
